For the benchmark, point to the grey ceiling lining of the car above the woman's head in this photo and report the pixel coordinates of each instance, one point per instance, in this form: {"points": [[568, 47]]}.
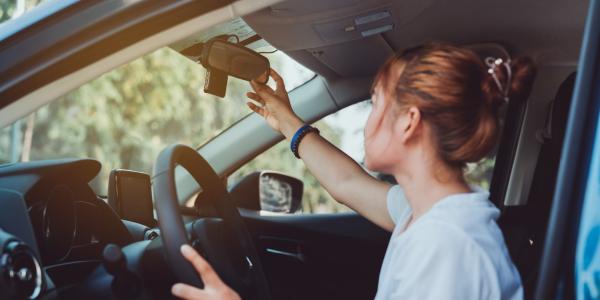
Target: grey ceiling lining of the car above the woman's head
{"points": [[328, 36]]}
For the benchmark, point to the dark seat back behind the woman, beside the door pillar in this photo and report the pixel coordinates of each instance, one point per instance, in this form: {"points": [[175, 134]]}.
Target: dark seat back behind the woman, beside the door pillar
{"points": [[524, 227]]}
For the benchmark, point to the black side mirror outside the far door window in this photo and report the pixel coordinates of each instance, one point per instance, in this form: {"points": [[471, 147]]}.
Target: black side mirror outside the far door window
{"points": [[269, 191]]}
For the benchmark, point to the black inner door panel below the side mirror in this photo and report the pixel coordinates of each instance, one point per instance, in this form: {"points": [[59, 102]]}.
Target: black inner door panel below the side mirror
{"points": [[329, 256]]}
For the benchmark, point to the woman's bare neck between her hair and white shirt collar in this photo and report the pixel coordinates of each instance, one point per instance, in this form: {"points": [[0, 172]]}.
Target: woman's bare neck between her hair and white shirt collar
{"points": [[423, 188]]}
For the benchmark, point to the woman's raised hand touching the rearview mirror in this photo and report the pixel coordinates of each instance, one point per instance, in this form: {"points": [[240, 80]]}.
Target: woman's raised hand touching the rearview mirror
{"points": [[276, 107]]}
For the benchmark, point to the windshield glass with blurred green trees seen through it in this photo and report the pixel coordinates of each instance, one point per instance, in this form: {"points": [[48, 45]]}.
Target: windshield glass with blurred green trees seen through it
{"points": [[127, 116]]}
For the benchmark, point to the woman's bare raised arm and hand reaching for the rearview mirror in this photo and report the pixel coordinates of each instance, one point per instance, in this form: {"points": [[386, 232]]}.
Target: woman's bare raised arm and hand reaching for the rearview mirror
{"points": [[339, 174]]}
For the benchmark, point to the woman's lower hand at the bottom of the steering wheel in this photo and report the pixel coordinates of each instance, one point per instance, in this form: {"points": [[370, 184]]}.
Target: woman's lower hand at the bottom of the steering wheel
{"points": [[214, 287]]}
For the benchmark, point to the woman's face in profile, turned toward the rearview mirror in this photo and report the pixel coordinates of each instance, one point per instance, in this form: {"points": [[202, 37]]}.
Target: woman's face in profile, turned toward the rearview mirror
{"points": [[381, 153]]}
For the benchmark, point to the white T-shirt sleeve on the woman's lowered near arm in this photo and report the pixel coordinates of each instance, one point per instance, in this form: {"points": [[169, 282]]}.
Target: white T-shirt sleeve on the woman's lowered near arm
{"points": [[443, 264]]}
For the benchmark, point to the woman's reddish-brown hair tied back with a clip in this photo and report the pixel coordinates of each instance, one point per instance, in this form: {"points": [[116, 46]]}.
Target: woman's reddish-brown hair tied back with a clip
{"points": [[455, 94]]}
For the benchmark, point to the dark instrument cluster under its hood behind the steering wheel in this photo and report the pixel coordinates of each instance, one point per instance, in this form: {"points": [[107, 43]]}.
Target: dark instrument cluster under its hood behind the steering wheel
{"points": [[71, 223]]}
